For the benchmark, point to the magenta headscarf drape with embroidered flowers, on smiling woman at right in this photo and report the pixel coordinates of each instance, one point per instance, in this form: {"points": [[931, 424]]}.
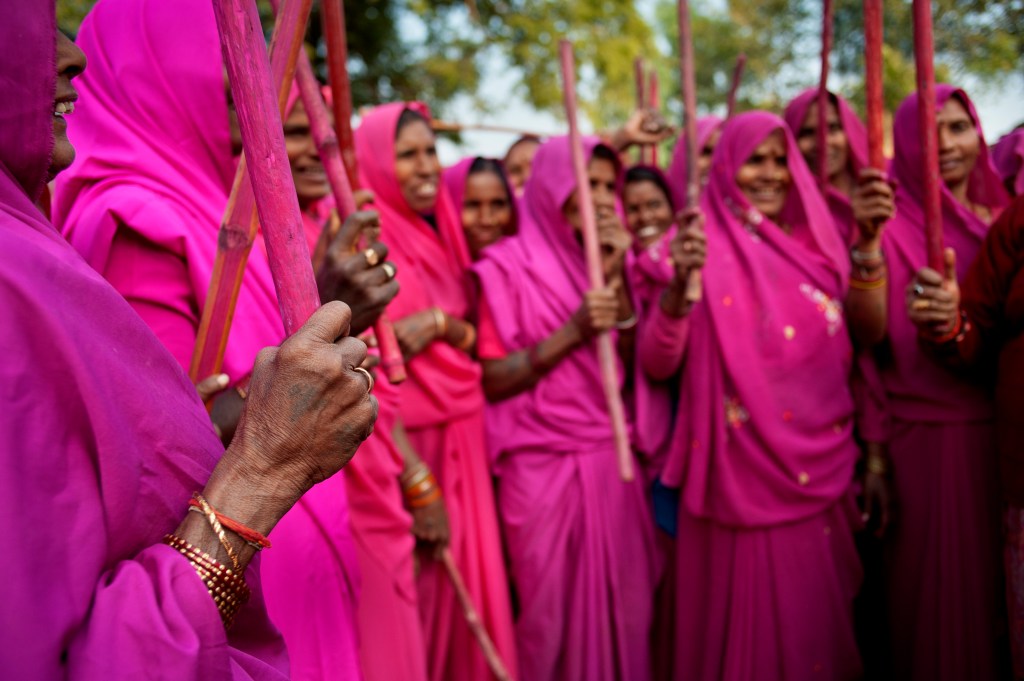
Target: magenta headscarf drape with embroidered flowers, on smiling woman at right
{"points": [[764, 430]]}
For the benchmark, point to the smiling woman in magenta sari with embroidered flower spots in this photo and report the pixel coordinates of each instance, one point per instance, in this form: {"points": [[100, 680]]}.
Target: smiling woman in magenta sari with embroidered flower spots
{"points": [[763, 450]]}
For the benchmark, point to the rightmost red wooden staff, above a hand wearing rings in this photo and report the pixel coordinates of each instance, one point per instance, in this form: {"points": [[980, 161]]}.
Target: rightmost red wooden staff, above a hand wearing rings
{"points": [[924, 52]]}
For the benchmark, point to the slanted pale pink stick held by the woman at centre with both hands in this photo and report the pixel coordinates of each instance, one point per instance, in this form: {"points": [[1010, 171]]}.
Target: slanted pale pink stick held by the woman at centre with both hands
{"points": [[595, 272]]}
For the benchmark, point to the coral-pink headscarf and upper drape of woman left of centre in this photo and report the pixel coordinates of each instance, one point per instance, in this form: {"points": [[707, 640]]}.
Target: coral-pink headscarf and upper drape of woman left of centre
{"points": [[433, 265]]}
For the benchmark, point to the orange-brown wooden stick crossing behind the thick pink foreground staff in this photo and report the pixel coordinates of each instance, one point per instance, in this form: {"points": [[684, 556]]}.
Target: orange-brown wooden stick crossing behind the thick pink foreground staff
{"points": [[239, 228]]}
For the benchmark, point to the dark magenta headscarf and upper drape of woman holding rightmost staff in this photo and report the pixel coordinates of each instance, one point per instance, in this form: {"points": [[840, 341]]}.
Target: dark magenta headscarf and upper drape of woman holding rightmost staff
{"points": [[919, 389]]}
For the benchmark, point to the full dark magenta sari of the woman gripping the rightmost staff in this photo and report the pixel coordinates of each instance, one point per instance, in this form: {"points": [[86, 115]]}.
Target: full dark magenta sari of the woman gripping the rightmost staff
{"points": [[944, 568]]}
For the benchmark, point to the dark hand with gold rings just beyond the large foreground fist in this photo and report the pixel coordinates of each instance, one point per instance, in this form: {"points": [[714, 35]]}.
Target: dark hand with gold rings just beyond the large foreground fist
{"points": [[348, 276]]}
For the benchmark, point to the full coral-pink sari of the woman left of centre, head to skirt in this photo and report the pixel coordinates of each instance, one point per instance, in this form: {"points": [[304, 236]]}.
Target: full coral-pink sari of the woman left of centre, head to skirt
{"points": [[442, 406]]}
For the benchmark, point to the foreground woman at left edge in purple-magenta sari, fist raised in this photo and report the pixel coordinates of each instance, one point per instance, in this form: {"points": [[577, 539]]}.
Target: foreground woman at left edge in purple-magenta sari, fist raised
{"points": [[104, 439]]}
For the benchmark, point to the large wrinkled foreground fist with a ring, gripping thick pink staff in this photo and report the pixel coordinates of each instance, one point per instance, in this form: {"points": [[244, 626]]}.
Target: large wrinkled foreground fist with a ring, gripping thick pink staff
{"points": [[308, 409]]}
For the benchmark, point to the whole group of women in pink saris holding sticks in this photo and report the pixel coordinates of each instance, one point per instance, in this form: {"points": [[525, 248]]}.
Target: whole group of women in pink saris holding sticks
{"points": [[821, 368]]}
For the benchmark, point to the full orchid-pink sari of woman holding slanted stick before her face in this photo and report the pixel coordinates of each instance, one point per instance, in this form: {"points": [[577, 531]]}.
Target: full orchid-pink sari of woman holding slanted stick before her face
{"points": [[581, 541]]}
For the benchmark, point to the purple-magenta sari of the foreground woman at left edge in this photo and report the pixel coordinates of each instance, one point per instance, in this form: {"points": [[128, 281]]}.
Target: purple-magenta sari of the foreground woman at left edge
{"points": [[103, 439]]}
